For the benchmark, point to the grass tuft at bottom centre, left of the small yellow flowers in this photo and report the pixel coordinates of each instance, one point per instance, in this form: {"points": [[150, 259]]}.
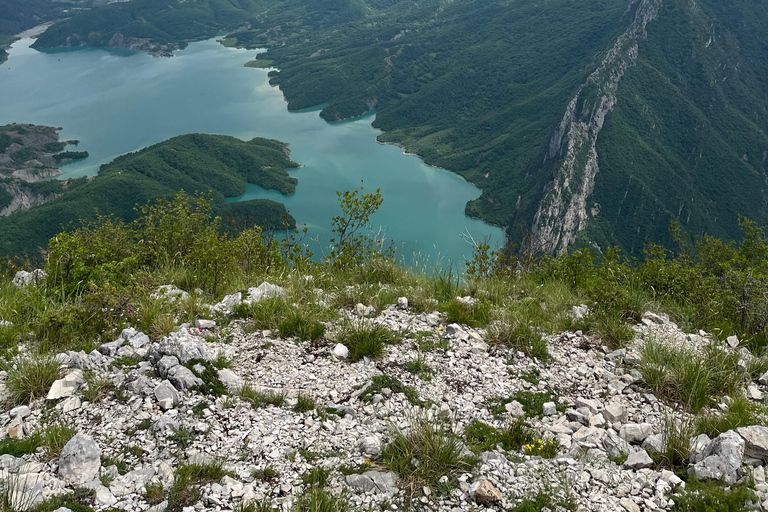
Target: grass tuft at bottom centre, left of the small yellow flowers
{"points": [[424, 454]]}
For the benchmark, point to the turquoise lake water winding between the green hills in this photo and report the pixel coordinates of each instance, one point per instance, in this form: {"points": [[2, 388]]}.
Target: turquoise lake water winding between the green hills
{"points": [[117, 101]]}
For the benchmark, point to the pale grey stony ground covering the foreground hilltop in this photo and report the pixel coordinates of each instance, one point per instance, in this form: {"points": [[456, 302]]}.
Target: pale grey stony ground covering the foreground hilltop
{"points": [[597, 410]]}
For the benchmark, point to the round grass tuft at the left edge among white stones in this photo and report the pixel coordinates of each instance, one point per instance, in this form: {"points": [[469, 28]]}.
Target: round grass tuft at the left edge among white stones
{"points": [[30, 377]]}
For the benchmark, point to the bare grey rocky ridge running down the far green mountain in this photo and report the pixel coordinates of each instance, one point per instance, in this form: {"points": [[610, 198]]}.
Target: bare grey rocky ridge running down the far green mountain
{"points": [[564, 211]]}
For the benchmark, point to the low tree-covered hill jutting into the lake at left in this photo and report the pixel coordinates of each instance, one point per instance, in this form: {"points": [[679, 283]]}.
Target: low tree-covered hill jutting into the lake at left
{"points": [[207, 164]]}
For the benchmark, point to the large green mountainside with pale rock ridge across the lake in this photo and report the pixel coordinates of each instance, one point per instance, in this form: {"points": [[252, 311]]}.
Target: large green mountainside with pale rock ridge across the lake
{"points": [[584, 122]]}
